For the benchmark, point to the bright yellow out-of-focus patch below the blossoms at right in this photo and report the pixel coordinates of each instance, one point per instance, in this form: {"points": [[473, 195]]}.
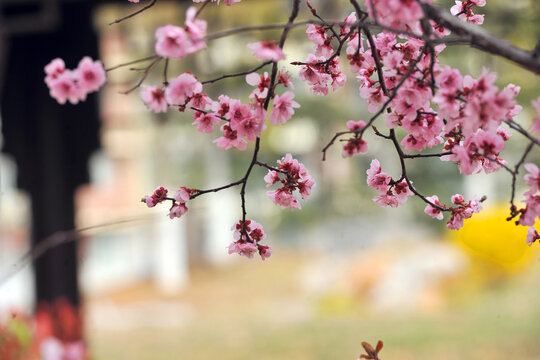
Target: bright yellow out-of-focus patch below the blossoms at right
{"points": [[489, 236]]}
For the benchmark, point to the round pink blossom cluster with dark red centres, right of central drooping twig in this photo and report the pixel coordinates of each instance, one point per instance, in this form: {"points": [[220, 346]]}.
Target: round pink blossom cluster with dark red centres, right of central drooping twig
{"points": [[295, 177]]}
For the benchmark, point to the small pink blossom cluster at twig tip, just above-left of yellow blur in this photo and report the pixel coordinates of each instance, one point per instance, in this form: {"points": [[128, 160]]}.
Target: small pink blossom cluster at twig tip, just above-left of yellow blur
{"points": [[460, 211]]}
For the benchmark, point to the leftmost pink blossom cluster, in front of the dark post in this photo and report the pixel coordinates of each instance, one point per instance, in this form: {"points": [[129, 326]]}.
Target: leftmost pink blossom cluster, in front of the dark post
{"points": [[74, 85]]}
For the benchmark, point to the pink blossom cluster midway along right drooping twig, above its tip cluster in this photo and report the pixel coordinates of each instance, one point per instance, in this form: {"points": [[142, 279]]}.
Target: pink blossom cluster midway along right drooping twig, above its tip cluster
{"points": [[392, 193]]}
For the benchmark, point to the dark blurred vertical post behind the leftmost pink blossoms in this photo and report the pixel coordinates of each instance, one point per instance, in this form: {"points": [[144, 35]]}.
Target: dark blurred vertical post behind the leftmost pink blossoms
{"points": [[50, 142]]}
